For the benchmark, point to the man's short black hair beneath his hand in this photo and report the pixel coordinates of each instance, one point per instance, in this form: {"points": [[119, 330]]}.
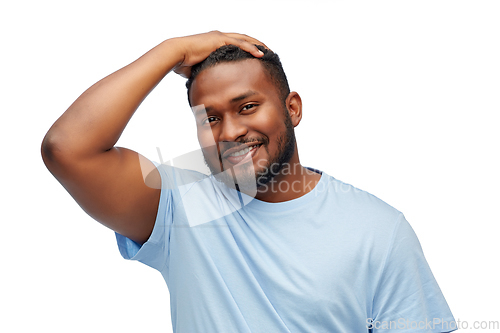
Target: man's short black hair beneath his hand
{"points": [[229, 53]]}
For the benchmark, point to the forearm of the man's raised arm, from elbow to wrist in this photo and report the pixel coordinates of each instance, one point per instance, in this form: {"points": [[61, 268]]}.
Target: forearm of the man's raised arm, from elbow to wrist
{"points": [[95, 121]]}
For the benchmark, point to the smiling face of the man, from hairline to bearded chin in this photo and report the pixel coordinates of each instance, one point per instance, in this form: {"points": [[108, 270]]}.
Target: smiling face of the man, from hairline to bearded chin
{"points": [[242, 123]]}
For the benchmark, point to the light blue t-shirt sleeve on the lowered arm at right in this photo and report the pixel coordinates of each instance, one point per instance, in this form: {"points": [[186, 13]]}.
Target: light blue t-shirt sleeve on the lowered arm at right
{"points": [[408, 298]]}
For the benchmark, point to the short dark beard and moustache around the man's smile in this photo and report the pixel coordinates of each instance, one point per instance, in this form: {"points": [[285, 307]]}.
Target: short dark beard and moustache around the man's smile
{"points": [[244, 177]]}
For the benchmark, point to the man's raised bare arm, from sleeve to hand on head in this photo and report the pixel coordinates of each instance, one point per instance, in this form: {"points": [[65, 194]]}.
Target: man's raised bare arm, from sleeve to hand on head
{"points": [[79, 151]]}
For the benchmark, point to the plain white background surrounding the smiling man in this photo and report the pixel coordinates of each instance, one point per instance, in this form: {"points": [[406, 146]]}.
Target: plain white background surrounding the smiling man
{"points": [[401, 99]]}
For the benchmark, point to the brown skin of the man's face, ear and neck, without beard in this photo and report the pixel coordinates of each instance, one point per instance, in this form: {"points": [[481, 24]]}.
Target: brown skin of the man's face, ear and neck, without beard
{"points": [[243, 105]]}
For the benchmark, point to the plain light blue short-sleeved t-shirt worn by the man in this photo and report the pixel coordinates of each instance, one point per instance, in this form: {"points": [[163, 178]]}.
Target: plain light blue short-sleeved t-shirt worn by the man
{"points": [[337, 259]]}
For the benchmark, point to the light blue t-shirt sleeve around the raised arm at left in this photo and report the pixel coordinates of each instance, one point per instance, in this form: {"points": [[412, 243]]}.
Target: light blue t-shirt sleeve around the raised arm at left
{"points": [[155, 251]]}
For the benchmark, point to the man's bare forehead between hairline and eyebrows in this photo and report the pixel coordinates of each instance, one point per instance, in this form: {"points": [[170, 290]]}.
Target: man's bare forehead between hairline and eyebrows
{"points": [[229, 79]]}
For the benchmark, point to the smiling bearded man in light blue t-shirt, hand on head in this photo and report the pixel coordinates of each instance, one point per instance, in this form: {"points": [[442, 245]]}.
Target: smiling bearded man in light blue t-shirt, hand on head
{"points": [[262, 245]]}
